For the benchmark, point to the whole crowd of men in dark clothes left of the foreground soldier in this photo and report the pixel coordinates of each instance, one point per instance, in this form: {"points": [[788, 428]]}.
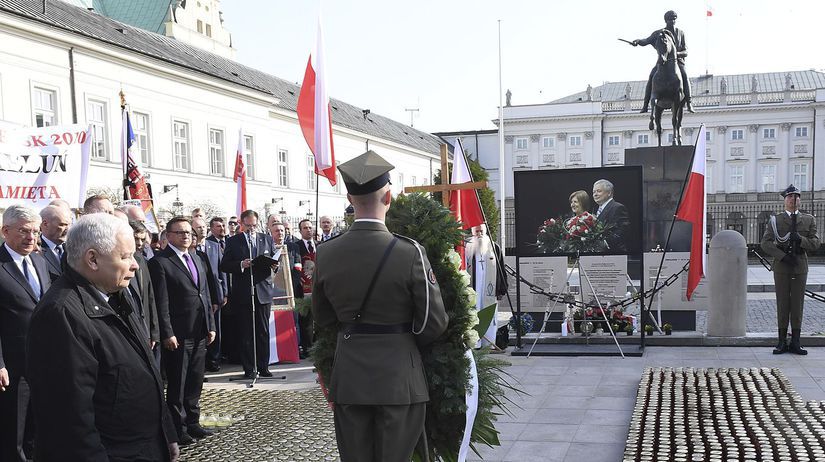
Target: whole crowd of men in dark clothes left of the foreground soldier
{"points": [[119, 311]]}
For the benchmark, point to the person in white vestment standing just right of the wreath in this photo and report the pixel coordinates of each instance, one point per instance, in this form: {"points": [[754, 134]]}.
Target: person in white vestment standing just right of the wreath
{"points": [[486, 268]]}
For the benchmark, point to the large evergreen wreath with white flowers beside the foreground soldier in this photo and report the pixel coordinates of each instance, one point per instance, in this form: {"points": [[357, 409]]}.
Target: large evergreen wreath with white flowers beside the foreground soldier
{"points": [[447, 368]]}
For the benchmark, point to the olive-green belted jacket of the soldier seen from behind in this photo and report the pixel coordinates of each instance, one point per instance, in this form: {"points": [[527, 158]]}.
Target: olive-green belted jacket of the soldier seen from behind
{"points": [[377, 369]]}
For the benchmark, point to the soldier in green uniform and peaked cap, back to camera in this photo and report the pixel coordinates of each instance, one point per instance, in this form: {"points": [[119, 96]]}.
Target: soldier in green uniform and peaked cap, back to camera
{"points": [[381, 292]]}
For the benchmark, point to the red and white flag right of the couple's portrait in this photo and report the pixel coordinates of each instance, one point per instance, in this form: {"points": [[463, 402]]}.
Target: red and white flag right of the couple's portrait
{"points": [[694, 209]]}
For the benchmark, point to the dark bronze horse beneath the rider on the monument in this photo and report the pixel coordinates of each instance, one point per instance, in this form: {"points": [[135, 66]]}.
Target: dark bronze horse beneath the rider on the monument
{"points": [[668, 89]]}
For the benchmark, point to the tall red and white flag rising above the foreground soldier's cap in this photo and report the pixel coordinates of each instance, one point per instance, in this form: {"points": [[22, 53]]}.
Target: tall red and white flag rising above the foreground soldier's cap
{"points": [[314, 112]]}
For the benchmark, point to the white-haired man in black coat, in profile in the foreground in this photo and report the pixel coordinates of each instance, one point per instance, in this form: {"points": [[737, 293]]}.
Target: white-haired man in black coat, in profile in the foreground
{"points": [[96, 392]]}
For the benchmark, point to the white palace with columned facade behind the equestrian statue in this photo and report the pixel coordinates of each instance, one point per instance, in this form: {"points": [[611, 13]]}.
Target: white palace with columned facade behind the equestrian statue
{"points": [[764, 131]]}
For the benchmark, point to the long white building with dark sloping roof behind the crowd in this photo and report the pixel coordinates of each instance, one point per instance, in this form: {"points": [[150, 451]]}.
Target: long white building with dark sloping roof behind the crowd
{"points": [[65, 62]]}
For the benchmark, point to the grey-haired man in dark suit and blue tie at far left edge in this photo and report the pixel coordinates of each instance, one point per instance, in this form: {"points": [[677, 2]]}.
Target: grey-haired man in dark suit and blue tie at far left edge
{"points": [[23, 280]]}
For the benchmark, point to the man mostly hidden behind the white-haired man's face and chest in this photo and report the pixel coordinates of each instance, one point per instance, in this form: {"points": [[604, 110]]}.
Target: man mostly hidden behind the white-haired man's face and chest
{"points": [[140, 288]]}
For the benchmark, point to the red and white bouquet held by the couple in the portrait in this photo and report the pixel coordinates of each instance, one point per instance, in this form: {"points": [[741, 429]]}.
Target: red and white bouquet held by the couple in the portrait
{"points": [[581, 233]]}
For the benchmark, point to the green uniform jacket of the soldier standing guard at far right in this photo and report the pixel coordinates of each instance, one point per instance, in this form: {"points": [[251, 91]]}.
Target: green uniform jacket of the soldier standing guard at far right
{"points": [[805, 226]]}
